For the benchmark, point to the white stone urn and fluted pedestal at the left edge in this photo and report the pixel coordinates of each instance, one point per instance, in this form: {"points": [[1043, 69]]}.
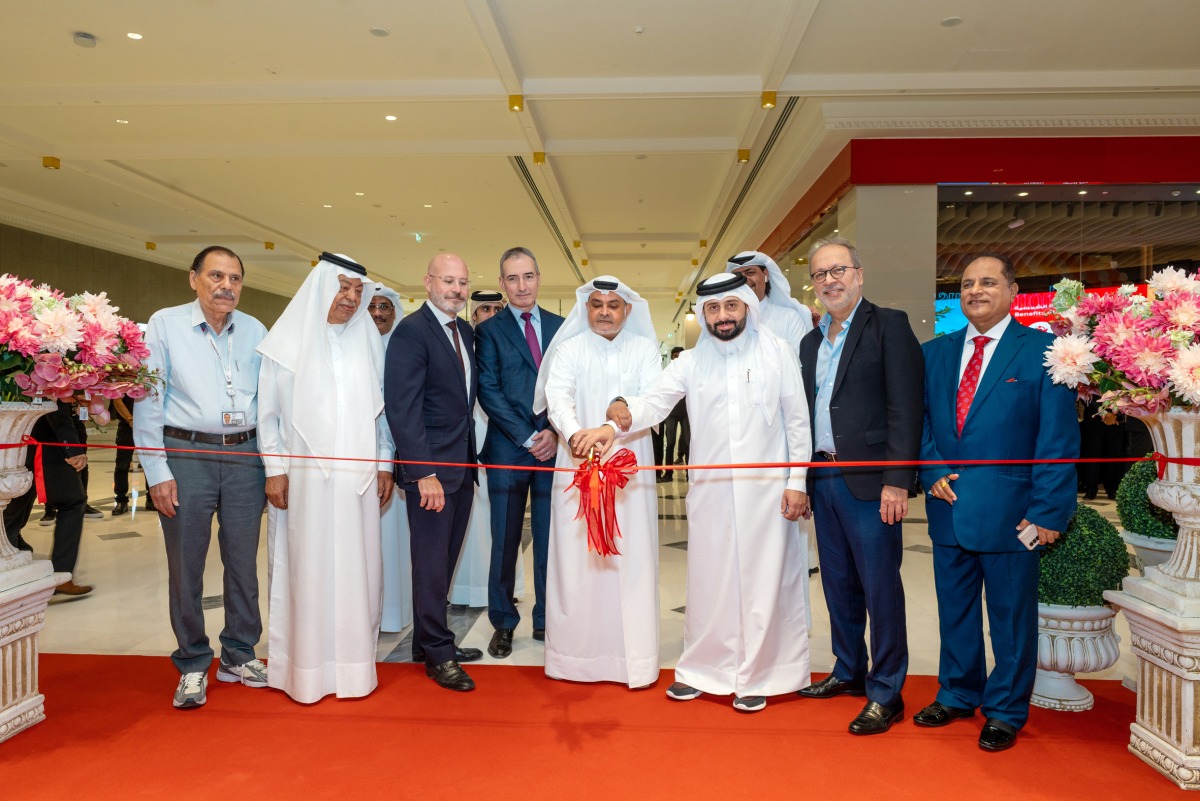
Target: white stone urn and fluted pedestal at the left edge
{"points": [[26, 585]]}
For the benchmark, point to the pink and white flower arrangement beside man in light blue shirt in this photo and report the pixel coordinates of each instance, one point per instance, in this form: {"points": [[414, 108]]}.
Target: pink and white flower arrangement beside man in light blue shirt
{"points": [[57, 347]]}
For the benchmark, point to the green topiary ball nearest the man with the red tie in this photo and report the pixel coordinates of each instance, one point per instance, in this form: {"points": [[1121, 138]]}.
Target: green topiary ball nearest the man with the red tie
{"points": [[1085, 562]]}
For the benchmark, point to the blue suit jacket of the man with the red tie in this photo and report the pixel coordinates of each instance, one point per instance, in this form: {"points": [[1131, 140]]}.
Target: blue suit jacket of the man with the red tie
{"points": [[1017, 414]]}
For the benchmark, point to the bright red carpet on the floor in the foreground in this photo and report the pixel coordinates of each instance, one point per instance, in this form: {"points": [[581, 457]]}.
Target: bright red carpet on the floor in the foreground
{"points": [[111, 733]]}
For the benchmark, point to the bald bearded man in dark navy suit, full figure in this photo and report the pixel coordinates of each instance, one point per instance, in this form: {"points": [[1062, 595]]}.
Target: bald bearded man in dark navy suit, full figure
{"points": [[429, 394]]}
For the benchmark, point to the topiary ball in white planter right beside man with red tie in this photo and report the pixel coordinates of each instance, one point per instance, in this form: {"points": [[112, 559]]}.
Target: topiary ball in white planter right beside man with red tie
{"points": [[1075, 623]]}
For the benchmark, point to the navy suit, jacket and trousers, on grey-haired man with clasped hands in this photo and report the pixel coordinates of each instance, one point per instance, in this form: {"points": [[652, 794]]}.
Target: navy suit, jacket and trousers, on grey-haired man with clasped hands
{"points": [[507, 380]]}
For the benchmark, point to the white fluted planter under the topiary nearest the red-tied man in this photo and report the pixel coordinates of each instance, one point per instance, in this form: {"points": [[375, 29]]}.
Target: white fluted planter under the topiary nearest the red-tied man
{"points": [[1072, 640]]}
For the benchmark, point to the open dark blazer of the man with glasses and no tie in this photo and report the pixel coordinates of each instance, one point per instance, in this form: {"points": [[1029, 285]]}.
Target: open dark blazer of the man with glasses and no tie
{"points": [[879, 399]]}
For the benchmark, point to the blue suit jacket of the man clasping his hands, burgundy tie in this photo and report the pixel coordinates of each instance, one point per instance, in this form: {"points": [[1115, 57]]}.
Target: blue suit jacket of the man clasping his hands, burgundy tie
{"points": [[507, 380]]}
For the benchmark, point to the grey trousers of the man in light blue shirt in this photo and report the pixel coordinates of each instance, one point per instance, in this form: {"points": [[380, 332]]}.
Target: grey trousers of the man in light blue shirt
{"points": [[233, 489]]}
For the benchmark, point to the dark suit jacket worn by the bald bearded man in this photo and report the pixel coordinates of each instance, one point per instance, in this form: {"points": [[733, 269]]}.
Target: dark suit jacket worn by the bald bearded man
{"points": [[428, 403]]}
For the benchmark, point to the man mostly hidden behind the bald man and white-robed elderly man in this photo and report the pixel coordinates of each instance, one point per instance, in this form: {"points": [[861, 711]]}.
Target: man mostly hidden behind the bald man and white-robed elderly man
{"points": [[398, 561]]}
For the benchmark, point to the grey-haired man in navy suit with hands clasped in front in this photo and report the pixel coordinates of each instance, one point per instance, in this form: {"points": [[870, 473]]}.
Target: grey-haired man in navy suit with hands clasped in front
{"points": [[509, 348]]}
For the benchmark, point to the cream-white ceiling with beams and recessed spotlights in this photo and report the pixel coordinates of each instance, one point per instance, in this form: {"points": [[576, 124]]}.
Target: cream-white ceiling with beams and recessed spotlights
{"points": [[247, 119]]}
